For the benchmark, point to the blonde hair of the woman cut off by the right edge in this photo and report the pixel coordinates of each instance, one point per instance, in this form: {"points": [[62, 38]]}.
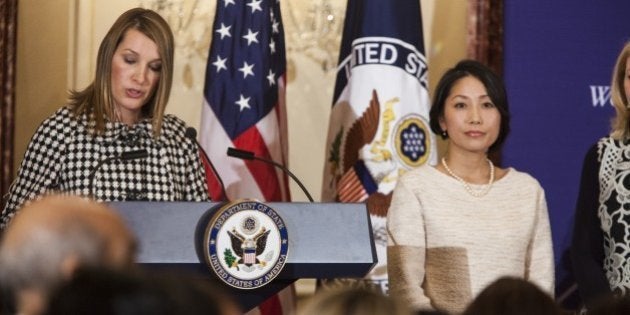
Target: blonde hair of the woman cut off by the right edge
{"points": [[620, 124]]}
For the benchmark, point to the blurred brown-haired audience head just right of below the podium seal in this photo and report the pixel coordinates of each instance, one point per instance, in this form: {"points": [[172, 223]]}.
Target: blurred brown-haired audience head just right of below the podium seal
{"points": [[352, 301]]}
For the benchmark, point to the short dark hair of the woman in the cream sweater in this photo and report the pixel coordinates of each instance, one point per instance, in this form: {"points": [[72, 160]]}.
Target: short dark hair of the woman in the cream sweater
{"points": [[494, 87]]}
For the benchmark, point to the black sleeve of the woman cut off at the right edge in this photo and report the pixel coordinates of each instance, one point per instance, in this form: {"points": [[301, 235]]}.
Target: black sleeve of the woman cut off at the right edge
{"points": [[587, 252]]}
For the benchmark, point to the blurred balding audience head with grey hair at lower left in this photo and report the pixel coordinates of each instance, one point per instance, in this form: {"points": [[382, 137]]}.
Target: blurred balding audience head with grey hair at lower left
{"points": [[49, 238]]}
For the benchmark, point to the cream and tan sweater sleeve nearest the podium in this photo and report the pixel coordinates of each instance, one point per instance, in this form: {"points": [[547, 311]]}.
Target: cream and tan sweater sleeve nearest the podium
{"points": [[406, 248]]}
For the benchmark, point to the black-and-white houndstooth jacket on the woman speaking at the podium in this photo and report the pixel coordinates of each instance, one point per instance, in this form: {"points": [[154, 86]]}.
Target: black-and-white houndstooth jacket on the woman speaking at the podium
{"points": [[63, 153]]}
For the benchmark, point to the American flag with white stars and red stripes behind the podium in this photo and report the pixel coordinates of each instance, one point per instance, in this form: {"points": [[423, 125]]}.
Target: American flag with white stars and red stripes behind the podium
{"points": [[244, 107]]}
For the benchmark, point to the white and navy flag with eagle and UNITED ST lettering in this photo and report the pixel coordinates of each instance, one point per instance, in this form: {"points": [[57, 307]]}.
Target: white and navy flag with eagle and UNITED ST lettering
{"points": [[379, 126]]}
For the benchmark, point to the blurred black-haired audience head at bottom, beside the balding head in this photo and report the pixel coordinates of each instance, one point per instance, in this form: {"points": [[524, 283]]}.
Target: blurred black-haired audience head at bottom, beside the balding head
{"points": [[99, 291]]}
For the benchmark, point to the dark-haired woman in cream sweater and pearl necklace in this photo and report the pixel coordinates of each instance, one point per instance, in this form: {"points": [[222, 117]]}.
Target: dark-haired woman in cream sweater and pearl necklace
{"points": [[456, 227]]}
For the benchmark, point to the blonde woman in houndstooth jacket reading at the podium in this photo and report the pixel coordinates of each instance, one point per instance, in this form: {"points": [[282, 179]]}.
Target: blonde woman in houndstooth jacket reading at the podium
{"points": [[77, 150]]}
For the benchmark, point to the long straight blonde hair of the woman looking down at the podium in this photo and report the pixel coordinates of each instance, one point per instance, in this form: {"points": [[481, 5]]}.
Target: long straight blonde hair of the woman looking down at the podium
{"points": [[97, 101]]}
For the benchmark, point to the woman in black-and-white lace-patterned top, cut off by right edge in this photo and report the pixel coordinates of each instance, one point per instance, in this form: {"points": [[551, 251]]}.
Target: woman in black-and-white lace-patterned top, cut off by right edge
{"points": [[600, 248]]}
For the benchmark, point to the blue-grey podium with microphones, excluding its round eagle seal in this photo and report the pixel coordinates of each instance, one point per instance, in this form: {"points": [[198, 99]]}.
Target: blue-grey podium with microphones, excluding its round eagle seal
{"points": [[326, 240]]}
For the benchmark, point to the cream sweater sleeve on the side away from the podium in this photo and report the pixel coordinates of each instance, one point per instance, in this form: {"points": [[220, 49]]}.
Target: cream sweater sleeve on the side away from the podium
{"points": [[541, 263]]}
